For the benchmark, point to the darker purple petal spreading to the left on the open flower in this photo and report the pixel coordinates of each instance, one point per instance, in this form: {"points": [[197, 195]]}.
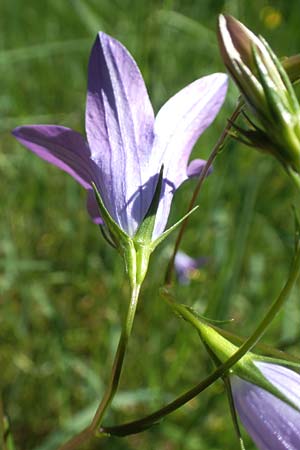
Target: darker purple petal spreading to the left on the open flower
{"points": [[62, 147]]}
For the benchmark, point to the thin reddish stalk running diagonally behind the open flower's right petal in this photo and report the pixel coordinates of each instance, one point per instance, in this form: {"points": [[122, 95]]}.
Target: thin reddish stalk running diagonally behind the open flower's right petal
{"points": [[202, 176]]}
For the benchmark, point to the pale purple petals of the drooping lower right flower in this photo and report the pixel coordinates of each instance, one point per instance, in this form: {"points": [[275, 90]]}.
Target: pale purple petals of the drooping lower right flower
{"points": [[272, 423]]}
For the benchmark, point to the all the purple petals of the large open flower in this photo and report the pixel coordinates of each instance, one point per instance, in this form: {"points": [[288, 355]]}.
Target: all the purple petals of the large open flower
{"points": [[125, 146]]}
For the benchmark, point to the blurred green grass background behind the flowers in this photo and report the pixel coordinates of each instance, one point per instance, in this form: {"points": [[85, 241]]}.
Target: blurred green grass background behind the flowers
{"points": [[62, 288]]}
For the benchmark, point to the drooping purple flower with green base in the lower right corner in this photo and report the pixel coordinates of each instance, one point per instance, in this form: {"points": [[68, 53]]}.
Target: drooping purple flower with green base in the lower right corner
{"points": [[266, 395]]}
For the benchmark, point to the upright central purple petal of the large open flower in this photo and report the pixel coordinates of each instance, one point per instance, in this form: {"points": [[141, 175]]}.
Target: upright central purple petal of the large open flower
{"points": [[119, 125]]}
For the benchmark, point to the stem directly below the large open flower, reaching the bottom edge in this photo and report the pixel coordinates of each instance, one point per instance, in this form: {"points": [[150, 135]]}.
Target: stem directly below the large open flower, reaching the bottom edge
{"points": [[113, 385]]}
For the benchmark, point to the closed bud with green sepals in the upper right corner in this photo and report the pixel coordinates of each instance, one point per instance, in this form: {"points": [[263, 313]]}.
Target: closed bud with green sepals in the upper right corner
{"points": [[266, 86]]}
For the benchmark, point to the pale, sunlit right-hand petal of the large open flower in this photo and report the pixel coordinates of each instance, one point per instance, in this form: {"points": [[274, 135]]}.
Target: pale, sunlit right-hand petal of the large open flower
{"points": [[177, 127]]}
